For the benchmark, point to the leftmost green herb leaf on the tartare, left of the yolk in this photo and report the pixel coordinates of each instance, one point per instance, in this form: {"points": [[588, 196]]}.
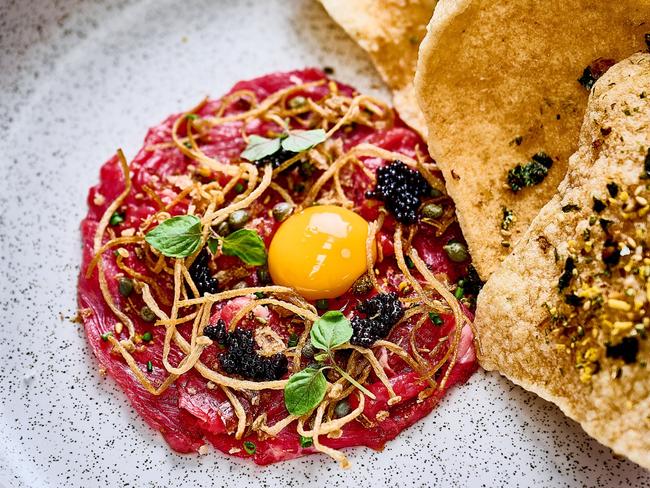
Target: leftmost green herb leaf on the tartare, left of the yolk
{"points": [[177, 237]]}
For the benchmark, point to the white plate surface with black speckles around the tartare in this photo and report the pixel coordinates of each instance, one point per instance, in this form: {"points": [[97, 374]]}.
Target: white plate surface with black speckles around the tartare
{"points": [[77, 80]]}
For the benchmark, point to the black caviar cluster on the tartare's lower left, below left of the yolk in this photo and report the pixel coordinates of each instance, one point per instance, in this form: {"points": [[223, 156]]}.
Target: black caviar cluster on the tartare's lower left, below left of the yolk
{"points": [[240, 357]]}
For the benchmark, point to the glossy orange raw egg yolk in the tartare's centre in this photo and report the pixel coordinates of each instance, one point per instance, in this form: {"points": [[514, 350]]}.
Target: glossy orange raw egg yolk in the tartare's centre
{"points": [[320, 252]]}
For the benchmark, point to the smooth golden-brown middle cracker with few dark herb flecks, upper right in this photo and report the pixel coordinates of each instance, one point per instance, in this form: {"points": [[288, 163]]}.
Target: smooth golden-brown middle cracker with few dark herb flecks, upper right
{"points": [[497, 83]]}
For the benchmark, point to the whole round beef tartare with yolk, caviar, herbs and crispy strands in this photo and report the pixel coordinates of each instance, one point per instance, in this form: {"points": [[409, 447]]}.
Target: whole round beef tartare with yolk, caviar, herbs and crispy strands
{"points": [[278, 272]]}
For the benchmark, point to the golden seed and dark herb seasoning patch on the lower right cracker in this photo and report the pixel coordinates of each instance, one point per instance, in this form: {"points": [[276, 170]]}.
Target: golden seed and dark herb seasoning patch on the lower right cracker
{"points": [[604, 287]]}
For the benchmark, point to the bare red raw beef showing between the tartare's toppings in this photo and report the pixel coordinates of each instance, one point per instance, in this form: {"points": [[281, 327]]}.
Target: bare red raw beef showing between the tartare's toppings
{"points": [[192, 411]]}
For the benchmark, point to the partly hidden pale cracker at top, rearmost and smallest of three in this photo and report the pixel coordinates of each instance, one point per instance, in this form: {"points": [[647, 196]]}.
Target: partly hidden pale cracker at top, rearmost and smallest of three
{"points": [[390, 31]]}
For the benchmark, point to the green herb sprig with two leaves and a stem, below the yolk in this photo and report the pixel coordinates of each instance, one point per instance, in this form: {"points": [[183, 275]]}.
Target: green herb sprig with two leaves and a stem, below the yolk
{"points": [[307, 388]]}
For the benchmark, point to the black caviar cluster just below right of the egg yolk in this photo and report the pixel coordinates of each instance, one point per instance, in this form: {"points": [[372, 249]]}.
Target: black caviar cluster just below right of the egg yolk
{"points": [[382, 312]]}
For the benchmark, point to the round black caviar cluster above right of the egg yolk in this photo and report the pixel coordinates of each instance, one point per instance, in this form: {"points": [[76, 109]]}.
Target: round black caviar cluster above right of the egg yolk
{"points": [[400, 188]]}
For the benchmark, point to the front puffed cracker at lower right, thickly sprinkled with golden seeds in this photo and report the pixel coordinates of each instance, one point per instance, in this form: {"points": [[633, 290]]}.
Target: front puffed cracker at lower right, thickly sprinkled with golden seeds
{"points": [[579, 338]]}
